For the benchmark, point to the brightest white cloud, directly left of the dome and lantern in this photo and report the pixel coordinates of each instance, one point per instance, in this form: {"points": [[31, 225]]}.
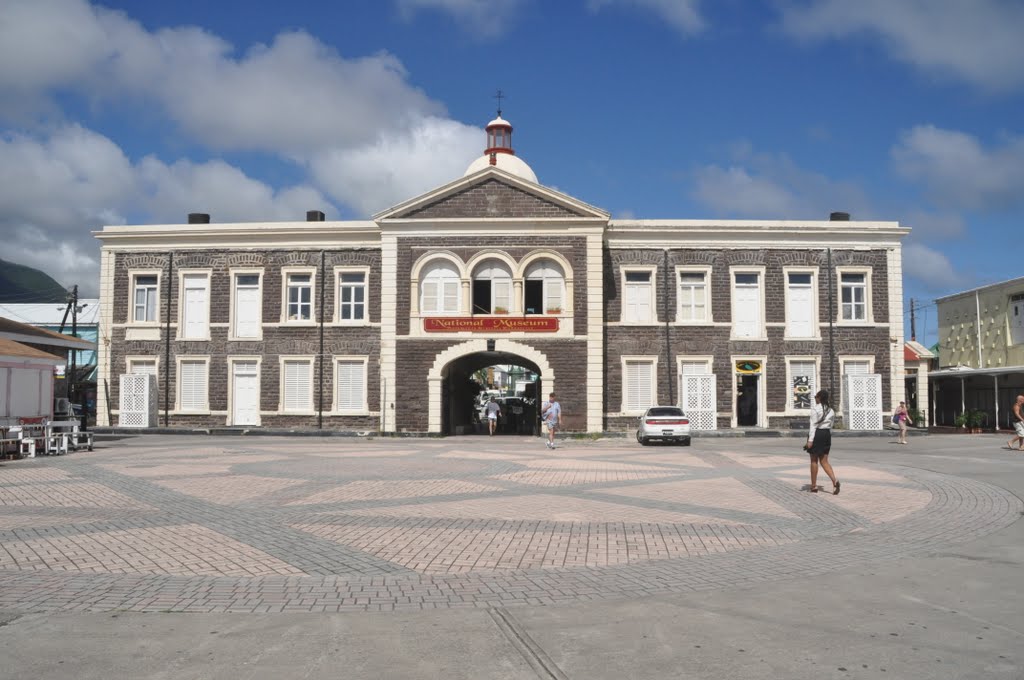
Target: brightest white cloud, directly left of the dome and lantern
{"points": [[397, 167]]}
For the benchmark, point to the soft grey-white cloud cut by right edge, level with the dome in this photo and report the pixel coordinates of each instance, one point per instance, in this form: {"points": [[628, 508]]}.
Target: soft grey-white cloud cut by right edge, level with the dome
{"points": [[959, 172]]}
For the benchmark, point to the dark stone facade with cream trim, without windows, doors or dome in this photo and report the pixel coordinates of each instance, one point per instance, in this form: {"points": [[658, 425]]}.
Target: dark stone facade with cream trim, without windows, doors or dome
{"points": [[411, 373]]}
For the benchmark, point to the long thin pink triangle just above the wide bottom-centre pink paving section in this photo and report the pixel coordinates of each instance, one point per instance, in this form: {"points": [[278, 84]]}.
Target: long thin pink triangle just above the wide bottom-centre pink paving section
{"points": [[537, 507]]}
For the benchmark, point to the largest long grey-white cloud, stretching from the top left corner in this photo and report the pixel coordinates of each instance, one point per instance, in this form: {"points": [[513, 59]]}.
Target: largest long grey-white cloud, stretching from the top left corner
{"points": [[292, 97]]}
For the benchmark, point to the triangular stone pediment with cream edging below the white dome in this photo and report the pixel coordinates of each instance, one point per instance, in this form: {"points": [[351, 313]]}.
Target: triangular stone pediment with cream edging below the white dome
{"points": [[492, 194]]}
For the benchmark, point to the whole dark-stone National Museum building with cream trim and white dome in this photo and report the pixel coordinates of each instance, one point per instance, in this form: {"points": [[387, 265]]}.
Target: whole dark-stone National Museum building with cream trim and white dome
{"points": [[377, 326]]}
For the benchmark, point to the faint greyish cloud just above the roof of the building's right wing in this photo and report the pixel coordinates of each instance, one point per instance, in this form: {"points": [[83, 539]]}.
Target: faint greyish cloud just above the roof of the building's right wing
{"points": [[772, 186]]}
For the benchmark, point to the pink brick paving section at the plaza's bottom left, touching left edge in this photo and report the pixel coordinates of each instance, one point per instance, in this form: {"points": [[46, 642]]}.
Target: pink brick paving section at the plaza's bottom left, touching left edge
{"points": [[186, 550]]}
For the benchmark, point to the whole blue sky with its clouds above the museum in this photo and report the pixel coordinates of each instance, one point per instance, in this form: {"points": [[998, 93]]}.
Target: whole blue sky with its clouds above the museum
{"points": [[142, 112]]}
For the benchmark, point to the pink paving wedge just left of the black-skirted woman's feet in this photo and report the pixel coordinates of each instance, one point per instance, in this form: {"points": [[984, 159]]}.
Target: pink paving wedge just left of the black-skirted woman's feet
{"points": [[727, 494]]}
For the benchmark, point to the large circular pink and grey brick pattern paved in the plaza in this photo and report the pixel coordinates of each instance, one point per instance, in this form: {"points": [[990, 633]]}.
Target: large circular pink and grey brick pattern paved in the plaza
{"points": [[269, 525]]}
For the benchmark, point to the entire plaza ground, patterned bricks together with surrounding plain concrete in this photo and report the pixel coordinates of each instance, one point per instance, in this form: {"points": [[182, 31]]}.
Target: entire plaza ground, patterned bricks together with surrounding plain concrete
{"points": [[494, 558]]}
